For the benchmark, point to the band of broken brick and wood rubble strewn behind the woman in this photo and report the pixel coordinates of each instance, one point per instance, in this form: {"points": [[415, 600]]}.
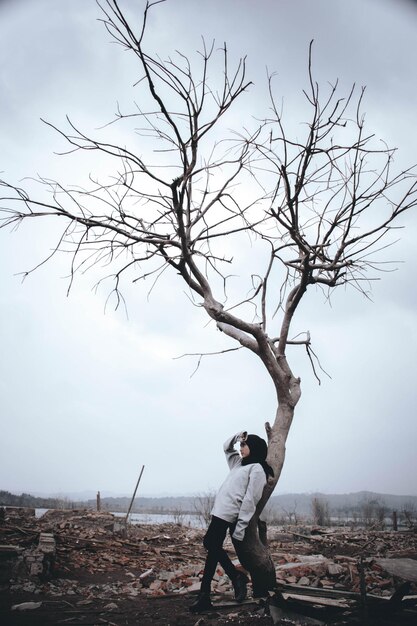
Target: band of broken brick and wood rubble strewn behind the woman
{"points": [[89, 555]]}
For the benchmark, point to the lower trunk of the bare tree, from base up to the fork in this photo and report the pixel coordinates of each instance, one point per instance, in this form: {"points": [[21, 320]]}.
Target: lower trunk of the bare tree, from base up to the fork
{"points": [[253, 552]]}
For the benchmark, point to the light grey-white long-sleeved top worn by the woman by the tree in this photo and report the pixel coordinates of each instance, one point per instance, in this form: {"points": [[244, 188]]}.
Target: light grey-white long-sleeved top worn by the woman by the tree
{"points": [[241, 491]]}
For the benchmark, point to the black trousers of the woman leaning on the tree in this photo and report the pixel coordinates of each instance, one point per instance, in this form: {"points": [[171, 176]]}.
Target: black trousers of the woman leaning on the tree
{"points": [[213, 542]]}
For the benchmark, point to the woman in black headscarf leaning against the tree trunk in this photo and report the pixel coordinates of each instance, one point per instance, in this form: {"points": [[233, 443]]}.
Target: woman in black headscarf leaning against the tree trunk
{"points": [[233, 509]]}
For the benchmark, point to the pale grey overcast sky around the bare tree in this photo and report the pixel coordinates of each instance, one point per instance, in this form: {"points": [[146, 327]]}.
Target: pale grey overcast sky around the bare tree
{"points": [[88, 396]]}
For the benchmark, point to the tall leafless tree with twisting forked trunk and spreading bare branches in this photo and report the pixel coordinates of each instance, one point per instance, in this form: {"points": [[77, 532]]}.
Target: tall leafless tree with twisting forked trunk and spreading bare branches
{"points": [[319, 209]]}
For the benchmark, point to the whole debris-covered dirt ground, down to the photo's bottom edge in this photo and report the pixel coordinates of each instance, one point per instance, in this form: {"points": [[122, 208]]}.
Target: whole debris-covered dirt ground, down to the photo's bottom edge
{"points": [[91, 572]]}
